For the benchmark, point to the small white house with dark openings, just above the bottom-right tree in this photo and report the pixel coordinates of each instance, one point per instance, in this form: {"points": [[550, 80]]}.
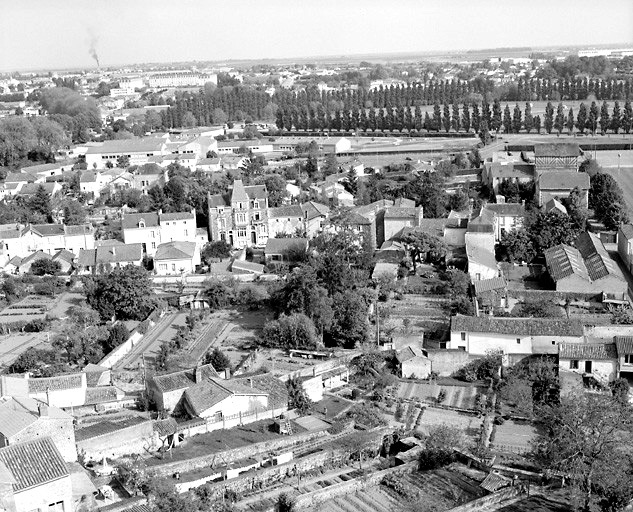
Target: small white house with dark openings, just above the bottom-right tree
{"points": [[598, 360]]}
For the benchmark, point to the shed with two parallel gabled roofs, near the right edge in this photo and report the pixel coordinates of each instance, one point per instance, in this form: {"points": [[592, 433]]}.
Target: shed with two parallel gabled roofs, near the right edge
{"points": [[586, 268]]}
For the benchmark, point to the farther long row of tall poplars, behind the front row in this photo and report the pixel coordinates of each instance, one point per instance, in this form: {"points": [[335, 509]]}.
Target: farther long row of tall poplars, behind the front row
{"points": [[214, 105]]}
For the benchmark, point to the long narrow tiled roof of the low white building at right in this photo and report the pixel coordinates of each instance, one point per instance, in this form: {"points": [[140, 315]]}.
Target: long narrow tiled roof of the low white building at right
{"points": [[517, 326]]}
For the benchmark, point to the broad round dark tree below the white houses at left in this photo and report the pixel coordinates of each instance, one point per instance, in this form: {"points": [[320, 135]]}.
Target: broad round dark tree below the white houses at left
{"points": [[124, 293]]}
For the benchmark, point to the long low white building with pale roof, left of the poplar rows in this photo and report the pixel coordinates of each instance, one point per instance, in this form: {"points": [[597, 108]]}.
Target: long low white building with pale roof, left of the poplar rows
{"points": [[138, 151]]}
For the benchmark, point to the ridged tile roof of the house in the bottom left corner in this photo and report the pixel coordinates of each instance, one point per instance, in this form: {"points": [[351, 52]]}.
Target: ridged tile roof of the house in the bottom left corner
{"points": [[33, 463]]}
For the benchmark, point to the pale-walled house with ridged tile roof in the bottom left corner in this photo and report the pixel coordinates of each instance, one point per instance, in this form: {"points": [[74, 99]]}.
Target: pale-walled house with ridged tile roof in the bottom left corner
{"points": [[35, 477]]}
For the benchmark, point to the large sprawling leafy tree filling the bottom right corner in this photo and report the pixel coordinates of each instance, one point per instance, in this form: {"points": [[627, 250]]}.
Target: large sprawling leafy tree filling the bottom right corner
{"points": [[582, 438]]}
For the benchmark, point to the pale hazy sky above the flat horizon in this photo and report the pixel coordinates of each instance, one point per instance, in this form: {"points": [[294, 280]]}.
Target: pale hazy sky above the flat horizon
{"points": [[57, 33]]}
